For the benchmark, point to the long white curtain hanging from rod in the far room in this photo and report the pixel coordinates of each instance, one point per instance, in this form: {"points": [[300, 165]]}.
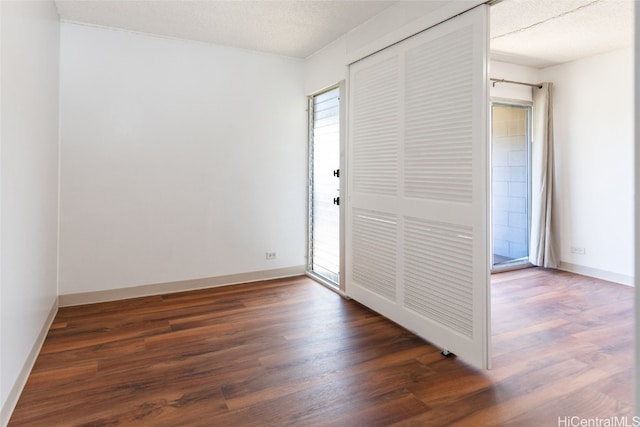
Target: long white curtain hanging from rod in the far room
{"points": [[543, 245]]}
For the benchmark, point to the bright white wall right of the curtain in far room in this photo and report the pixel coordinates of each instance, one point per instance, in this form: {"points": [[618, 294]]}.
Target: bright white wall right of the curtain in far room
{"points": [[594, 125]]}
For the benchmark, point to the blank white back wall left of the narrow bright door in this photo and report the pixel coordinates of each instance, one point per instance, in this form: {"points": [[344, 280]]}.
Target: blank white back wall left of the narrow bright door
{"points": [[179, 160]]}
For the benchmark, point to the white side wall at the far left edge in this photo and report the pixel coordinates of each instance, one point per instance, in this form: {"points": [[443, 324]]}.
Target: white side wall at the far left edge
{"points": [[29, 187]]}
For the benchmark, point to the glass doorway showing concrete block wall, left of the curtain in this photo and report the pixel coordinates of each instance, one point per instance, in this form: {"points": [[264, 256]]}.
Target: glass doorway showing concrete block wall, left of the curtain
{"points": [[511, 184]]}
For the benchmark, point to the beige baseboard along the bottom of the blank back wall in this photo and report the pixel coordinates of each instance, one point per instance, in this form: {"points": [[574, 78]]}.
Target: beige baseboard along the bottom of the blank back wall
{"points": [[180, 286]]}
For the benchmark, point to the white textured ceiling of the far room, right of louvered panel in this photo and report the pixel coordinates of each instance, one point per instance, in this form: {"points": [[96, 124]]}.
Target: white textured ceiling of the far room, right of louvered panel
{"points": [[541, 33]]}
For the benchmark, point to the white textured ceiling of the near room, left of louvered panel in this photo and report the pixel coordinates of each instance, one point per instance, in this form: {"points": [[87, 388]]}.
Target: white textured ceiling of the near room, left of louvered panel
{"points": [[290, 28]]}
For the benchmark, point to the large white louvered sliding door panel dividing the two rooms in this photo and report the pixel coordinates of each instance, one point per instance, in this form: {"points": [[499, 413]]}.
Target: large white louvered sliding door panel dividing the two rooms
{"points": [[417, 227]]}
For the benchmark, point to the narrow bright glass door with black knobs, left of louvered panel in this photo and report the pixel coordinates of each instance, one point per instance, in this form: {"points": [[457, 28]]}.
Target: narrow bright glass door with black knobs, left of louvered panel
{"points": [[324, 191]]}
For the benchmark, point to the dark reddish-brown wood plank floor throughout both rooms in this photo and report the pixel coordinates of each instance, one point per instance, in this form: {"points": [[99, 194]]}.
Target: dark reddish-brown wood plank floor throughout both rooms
{"points": [[290, 352]]}
